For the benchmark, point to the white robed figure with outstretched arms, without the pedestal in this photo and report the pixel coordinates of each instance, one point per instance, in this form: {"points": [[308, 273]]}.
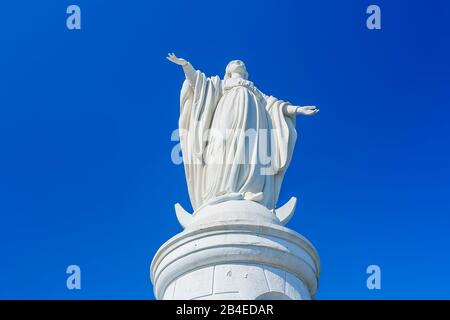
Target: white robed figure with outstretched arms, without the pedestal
{"points": [[228, 130]]}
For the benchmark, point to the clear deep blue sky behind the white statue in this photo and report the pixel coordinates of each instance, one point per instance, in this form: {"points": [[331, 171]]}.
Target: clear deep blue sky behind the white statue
{"points": [[86, 116]]}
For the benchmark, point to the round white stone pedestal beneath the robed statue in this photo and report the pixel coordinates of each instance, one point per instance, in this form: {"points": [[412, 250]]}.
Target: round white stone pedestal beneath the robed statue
{"points": [[235, 250]]}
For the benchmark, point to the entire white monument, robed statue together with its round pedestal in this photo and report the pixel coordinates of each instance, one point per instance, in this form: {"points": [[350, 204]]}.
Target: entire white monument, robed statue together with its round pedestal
{"points": [[237, 144]]}
